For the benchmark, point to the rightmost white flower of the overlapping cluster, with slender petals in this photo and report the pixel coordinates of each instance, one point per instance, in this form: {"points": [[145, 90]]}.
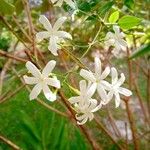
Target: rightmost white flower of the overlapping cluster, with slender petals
{"points": [[115, 89]]}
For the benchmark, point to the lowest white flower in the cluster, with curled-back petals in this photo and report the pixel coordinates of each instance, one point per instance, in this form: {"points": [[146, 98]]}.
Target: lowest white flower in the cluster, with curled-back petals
{"points": [[85, 112]]}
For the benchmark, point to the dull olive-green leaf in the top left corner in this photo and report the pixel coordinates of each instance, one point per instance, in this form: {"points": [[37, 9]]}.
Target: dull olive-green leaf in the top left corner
{"points": [[6, 8]]}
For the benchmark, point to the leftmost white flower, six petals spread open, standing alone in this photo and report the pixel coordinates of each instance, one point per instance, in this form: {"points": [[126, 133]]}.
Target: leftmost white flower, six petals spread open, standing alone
{"points": [[42, 80]]}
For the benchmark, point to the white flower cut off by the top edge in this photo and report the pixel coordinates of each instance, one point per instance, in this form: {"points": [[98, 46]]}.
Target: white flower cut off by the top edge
{"points": [[60, 2]]}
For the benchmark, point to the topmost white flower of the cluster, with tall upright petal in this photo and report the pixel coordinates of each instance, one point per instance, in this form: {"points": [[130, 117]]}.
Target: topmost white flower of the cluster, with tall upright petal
{"points": [[97, 78]]}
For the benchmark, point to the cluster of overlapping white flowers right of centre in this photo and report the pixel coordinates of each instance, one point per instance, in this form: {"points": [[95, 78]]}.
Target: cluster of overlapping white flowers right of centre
{"points": [[84, 103]]}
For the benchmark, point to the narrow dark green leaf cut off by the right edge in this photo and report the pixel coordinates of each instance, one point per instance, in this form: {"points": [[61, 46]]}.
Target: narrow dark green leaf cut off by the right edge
{"points": [[141, 51]]}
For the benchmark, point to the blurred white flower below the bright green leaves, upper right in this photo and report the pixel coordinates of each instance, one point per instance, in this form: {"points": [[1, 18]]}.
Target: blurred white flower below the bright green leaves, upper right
{"points": [[116, 39]]}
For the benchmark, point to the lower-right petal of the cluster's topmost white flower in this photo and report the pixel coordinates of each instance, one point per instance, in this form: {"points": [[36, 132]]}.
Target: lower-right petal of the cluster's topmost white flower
{"points": [[102, 93]]}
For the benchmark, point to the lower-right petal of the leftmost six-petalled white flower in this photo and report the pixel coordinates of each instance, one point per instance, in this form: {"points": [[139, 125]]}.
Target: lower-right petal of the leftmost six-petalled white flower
{"points": [[48, 93]]}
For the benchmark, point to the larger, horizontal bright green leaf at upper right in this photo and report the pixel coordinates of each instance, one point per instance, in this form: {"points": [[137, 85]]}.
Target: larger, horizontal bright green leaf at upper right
{"points": [[127, 22]]}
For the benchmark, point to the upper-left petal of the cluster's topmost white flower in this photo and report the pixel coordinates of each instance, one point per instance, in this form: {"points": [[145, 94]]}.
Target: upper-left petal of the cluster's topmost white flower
{"points": [[87, 75]]}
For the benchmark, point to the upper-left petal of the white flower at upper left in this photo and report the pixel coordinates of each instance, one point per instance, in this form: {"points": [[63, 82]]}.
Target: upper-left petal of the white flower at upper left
{"points": [[45, 22]]}
